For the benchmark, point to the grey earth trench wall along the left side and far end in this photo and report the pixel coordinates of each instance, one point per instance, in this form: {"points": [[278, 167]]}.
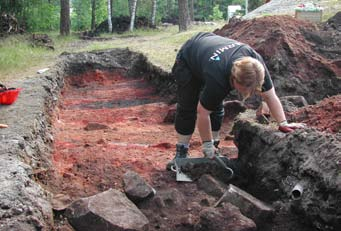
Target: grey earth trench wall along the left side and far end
{"points": [[25, 147]]}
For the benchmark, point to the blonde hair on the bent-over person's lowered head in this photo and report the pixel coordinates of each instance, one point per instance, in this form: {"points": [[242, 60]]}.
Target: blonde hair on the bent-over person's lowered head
{"points": [[248, 72]]}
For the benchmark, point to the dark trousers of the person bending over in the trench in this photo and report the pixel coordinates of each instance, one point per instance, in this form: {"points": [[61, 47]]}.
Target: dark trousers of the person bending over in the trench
{"points": [[188, 92]]}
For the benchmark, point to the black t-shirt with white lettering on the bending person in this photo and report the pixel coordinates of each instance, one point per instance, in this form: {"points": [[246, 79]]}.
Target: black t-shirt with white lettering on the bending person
{"points": [[210, 58]]}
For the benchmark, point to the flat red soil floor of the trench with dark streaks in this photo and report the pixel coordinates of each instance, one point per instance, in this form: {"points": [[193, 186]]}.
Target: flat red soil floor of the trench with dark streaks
{"points": [[107, 124]]}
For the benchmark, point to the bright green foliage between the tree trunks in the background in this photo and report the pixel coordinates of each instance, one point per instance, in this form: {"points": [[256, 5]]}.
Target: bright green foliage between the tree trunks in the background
{"points": [[44, 15]]}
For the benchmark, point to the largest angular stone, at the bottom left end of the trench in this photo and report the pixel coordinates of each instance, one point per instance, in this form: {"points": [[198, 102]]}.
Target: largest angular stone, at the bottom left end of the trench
{"points": [[109, 210]]}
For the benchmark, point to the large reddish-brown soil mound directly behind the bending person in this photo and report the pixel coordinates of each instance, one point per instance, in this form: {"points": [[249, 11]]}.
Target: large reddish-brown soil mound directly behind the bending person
{"points": [[300, 56]]}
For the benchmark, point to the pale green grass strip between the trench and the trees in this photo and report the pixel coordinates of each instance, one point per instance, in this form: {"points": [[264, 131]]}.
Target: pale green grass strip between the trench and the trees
{"points": [[19, 59]]}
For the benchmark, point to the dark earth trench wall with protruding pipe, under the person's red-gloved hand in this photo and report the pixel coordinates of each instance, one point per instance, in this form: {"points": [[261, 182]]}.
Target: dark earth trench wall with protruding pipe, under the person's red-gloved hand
{"points": [[274, 163]]}
